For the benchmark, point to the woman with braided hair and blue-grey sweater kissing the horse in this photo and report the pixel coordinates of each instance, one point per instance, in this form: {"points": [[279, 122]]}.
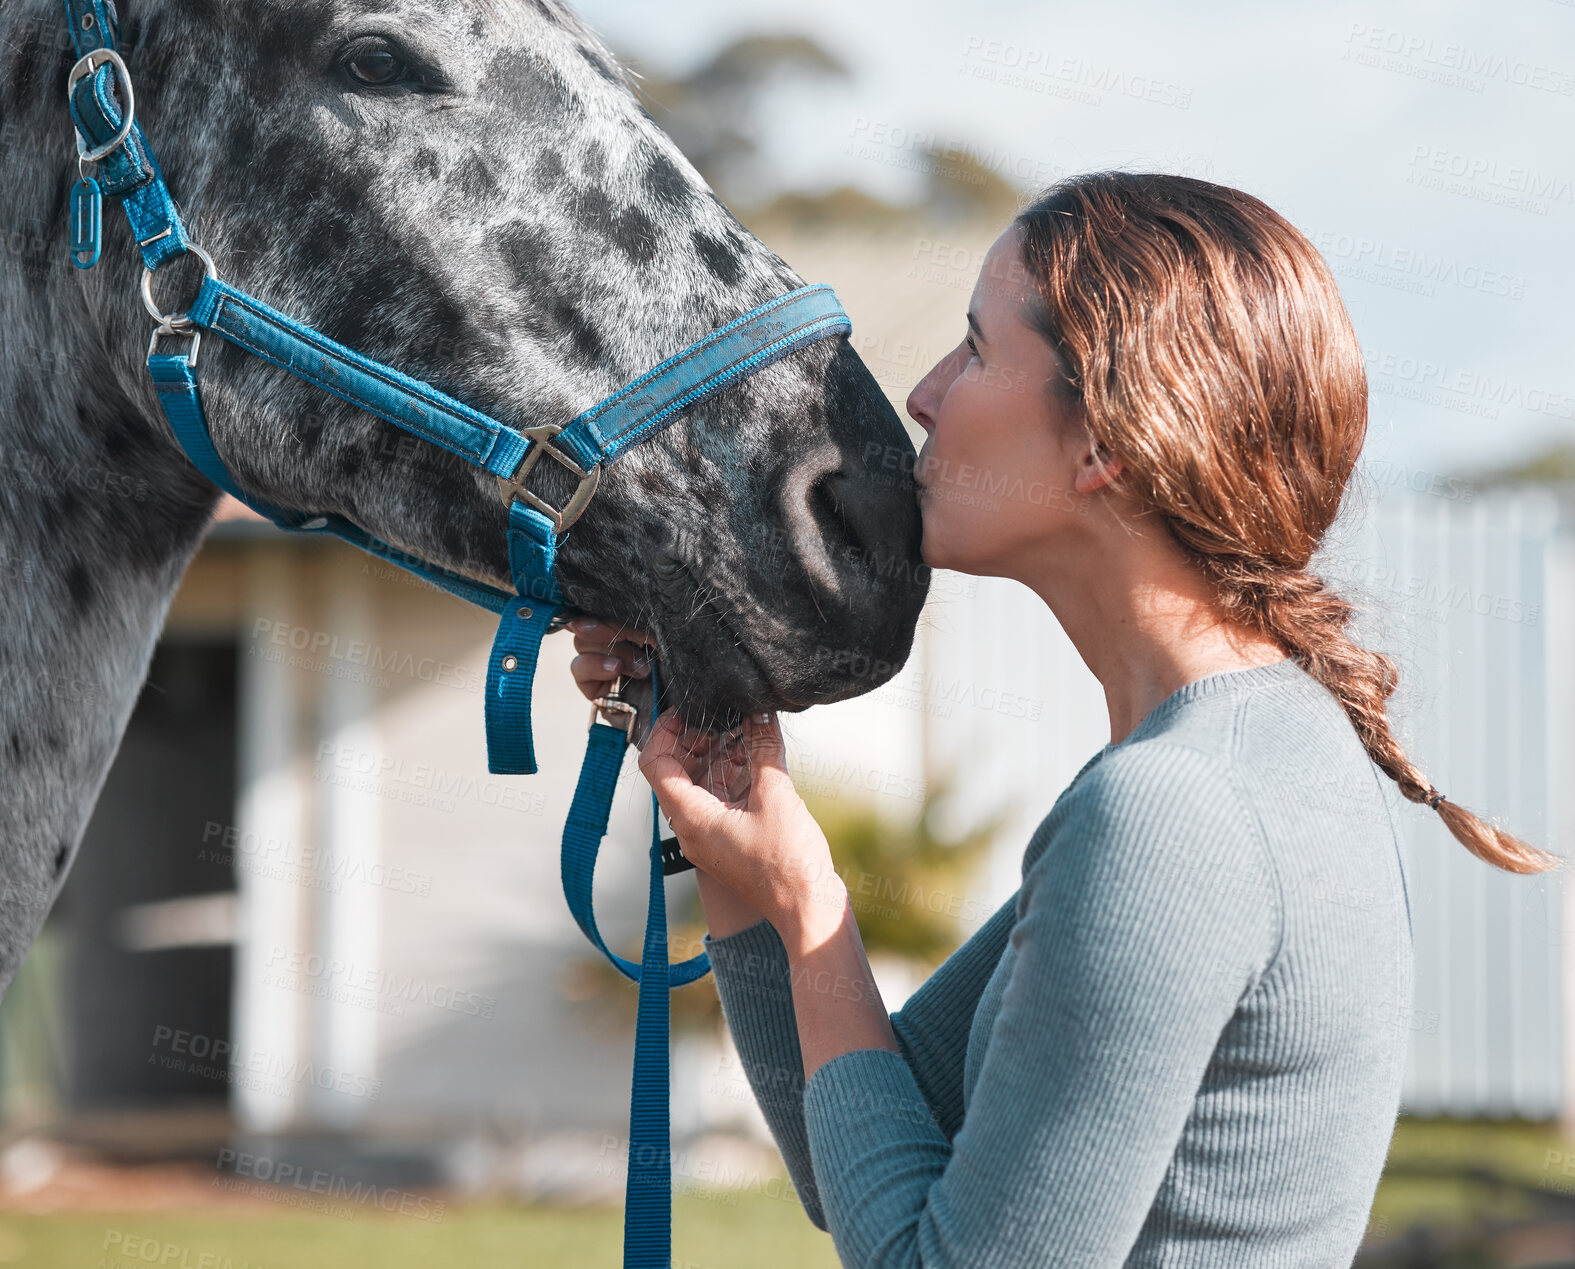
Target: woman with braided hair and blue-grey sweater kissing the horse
{"points": [[1182, 1040]]}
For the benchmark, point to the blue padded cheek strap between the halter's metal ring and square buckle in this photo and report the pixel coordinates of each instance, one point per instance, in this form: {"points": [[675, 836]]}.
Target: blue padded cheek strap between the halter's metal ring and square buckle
{"points": [[410, 404]]}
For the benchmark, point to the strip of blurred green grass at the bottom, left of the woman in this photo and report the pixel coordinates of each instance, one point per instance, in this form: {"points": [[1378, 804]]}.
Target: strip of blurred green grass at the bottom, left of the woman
{"points": [[754, 1234]]}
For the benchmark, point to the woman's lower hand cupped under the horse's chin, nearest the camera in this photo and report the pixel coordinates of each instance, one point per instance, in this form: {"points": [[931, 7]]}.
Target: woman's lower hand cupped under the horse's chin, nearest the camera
{"points": [[743, 824]]}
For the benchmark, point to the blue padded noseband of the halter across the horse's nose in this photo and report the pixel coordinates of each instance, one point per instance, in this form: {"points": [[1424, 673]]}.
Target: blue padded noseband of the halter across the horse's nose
{"points": [[744, 346]]}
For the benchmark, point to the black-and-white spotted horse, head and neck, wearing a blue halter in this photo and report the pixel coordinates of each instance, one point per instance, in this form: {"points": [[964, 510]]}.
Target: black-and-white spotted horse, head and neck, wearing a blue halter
{"points": [[473, 193]]}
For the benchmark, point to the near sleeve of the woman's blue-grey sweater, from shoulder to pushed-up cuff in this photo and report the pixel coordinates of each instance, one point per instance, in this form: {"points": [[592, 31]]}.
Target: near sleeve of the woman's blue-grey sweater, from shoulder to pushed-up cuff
{"points": [[1151, 912]]}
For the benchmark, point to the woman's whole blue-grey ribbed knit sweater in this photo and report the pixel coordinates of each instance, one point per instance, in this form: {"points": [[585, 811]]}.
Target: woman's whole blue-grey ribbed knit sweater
{"points": [[1180, 1043]]}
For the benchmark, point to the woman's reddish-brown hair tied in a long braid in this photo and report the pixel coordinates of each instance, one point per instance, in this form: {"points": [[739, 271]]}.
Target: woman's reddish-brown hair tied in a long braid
{"points": [[1209, 350]]}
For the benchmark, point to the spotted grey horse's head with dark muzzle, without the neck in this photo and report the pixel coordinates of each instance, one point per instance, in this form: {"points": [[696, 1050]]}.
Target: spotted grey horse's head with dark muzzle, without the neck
{"points": [[475, 194]]}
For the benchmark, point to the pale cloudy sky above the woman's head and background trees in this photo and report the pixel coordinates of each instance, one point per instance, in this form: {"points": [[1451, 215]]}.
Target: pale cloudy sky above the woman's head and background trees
{"points": [[1428, 150]]}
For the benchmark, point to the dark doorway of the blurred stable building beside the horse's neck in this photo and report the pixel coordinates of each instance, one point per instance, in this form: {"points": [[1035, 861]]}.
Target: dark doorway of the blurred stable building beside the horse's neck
{"points": [[149, 988]]}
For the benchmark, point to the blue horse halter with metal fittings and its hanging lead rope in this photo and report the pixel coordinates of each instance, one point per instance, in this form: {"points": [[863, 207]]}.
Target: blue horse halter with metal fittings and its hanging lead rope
{"points": [[125, 169]]}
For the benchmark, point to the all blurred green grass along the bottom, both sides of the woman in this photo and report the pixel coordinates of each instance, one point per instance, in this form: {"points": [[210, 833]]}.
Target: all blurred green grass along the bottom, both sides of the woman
{"points": [[733, 1230]]}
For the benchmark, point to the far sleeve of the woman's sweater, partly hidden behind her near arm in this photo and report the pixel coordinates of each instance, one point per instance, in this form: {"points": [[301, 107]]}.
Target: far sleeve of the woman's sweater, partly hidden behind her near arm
{"points": [[754, 983]]}
